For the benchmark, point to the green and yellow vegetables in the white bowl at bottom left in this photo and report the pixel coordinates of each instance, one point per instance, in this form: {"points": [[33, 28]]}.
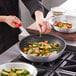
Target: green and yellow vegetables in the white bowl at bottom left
{"points": [[15, 72]]}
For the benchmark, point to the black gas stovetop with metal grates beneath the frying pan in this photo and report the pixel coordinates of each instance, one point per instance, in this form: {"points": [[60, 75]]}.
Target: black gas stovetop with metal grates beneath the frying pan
{"points": [[63, 66]]}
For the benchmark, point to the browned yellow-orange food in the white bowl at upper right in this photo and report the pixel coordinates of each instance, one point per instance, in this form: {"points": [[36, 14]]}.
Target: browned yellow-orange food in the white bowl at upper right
{"points": [[63, 25]]}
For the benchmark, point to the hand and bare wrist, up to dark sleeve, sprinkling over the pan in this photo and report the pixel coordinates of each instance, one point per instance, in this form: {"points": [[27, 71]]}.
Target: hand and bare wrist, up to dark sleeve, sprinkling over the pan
{"points": [[43, 25]]}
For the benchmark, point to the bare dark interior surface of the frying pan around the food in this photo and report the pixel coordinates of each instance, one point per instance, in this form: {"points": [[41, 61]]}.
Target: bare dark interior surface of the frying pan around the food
{"points": [[45, 37]]}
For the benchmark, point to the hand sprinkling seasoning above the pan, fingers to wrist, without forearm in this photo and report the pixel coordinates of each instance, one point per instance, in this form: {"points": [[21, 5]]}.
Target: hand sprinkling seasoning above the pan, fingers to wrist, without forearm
{"points": [[43, 26]]}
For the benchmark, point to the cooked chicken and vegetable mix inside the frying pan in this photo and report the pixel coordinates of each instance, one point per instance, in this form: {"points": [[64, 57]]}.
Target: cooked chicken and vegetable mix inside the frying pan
{"points": [[41, 49]]}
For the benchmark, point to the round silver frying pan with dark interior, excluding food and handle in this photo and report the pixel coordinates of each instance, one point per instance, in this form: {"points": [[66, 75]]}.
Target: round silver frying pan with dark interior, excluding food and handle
{"points": [[44, 37]]}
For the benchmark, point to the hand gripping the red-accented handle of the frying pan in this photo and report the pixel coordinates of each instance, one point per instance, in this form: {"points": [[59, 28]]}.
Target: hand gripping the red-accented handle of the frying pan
{"points": [[12, 21]]}
